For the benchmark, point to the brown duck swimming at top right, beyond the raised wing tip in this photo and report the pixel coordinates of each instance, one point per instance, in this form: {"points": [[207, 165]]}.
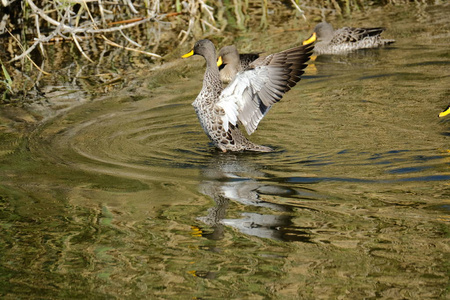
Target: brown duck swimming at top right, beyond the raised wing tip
{"points": [[346, 39]]}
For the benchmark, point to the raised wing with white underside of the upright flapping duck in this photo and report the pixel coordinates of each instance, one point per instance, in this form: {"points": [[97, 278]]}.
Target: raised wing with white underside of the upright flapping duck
{"points": [[253, 92]]}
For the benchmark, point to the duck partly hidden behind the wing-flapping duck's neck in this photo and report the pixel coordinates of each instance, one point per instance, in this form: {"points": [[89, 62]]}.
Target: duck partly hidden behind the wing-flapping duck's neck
{"points": [[230, 62]]}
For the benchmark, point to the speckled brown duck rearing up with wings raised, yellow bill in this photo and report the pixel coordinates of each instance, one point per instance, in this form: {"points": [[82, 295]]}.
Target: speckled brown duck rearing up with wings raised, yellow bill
{"points": [[247, 98]]}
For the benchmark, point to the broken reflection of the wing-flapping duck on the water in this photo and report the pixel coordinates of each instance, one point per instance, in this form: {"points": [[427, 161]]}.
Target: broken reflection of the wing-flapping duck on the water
{"points": [[230, 177]]}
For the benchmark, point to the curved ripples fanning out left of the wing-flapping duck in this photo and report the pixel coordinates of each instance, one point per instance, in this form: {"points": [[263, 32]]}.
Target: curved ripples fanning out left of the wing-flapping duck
{"points": [[138, 140]]}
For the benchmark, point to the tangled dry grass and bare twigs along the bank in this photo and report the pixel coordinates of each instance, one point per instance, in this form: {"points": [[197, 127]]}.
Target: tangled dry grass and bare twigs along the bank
{"points": [[93, 34]]}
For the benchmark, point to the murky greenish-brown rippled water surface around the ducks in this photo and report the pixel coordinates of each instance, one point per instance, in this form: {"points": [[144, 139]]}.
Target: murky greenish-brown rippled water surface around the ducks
{"points": [[124, 197]]}
